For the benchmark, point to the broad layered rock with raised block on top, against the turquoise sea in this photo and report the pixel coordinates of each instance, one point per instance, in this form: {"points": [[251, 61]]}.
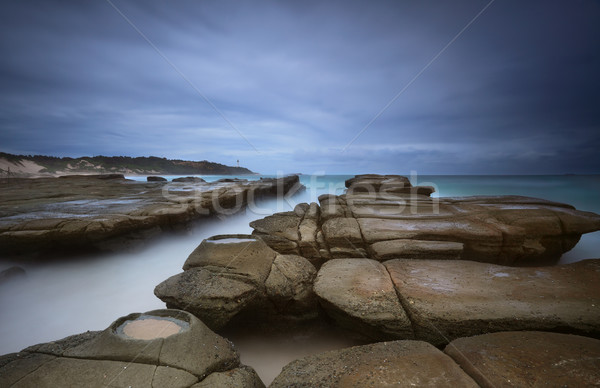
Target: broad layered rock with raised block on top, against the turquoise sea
{"points": [[383, 217]]}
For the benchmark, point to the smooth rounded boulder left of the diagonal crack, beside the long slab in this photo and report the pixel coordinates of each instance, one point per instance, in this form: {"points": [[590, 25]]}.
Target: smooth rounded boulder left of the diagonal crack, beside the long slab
{"points": [[359, 295]]}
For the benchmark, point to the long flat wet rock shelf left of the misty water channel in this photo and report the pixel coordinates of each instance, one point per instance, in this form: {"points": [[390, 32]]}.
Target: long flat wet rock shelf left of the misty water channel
{"points": [[90, 212]]}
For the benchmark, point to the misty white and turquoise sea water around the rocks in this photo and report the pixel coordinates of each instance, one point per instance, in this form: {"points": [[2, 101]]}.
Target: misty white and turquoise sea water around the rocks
{"points": [[60, 298]]}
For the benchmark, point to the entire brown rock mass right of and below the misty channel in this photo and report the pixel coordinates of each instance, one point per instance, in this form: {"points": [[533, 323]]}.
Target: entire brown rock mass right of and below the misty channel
{"points": [[448, 291]]}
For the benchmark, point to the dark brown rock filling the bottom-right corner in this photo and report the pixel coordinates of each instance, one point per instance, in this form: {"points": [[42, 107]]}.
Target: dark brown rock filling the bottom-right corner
{"points": [[528, 359]]}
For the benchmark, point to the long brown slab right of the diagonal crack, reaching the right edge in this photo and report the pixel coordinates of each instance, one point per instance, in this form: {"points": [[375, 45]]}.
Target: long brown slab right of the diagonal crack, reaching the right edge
{"points": [[451, 299]]}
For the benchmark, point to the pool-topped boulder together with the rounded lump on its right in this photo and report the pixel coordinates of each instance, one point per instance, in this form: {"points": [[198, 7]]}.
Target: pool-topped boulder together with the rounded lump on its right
{"points": [[230, 274]]}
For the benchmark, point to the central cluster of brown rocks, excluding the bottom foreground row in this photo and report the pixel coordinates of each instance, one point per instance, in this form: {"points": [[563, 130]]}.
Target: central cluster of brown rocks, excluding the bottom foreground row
{"points": [[394, 263]]}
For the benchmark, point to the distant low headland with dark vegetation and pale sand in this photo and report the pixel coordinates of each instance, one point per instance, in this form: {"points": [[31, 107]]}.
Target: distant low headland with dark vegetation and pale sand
{"points": [[112, 164]]}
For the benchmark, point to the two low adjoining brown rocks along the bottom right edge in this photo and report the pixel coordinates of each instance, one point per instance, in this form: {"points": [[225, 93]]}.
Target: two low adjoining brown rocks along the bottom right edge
{"points": [[506, 359]]}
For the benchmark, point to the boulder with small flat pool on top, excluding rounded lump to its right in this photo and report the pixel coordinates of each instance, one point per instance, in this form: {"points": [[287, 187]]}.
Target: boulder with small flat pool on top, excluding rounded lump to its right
{"points": [[223, 276]]}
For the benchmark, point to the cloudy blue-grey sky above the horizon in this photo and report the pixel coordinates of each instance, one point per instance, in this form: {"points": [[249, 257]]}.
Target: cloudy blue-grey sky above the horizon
{"points": [[434, 87]]}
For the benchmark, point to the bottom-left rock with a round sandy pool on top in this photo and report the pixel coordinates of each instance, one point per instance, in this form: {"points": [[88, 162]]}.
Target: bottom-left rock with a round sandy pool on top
{"points": [[160, 348]]}
